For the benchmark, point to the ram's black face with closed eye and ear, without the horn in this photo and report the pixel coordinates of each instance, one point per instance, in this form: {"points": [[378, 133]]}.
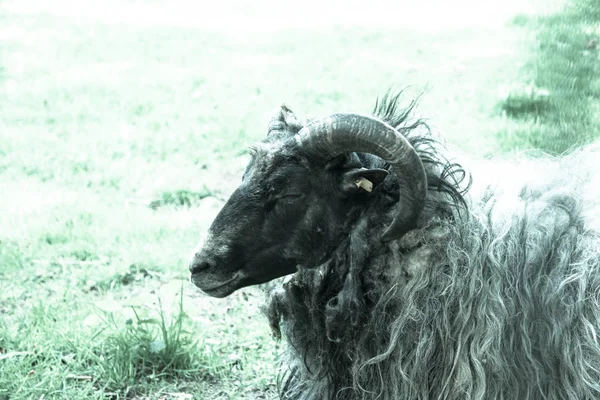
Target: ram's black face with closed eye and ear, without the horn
{"points": [[285, 213]]}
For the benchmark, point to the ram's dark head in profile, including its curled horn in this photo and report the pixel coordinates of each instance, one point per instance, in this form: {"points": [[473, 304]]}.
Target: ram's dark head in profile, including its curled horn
{"points": [[305, 187]]}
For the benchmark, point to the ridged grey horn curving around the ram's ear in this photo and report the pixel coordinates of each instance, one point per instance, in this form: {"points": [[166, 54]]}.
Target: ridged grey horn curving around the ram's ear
{"points": [[326, 138]]}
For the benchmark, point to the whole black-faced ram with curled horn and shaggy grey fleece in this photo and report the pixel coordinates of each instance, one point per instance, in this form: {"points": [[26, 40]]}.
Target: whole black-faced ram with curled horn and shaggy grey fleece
{"points": [[409, 279]]}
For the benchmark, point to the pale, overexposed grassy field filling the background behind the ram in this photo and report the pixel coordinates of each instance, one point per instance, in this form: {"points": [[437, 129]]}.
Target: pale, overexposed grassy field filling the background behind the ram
{"points": [[124, 126]]}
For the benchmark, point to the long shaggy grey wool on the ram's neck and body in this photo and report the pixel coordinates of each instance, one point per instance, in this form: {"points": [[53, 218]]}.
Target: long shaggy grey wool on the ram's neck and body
{"points": [[495, 295]]}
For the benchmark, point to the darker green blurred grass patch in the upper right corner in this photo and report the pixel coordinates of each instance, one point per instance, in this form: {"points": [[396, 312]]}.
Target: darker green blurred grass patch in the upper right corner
{"points": [[560, 109]]}
